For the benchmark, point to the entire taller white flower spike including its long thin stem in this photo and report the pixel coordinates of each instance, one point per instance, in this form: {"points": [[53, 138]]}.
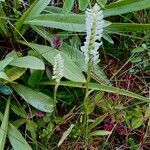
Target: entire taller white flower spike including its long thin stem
{"points": [[94, 29]]}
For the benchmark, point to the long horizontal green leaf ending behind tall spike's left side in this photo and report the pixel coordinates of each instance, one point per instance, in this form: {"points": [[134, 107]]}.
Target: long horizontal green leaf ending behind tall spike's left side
{"points": [[69, 22]]}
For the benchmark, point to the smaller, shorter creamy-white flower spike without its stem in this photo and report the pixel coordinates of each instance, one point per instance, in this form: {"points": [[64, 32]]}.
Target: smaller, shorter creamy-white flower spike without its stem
{"points": [[58, 69]]}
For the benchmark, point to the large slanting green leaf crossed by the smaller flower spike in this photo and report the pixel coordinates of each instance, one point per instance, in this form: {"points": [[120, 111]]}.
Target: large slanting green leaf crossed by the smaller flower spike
{"points": [[71, 70]]}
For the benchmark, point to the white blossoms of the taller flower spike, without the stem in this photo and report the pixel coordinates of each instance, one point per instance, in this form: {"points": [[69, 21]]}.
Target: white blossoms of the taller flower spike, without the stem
{"points": [[94, 30]]}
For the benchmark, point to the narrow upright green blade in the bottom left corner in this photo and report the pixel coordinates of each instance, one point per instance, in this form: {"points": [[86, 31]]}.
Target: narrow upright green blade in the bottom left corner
{"points": [[4, 126]]}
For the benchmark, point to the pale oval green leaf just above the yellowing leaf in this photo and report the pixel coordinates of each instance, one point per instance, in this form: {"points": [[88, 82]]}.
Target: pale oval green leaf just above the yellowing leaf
{"points": [[28, 62]]}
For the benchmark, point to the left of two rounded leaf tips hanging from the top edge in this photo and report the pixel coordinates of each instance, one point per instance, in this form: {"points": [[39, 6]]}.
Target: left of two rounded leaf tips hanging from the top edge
{"points": [[68, 4]]}
